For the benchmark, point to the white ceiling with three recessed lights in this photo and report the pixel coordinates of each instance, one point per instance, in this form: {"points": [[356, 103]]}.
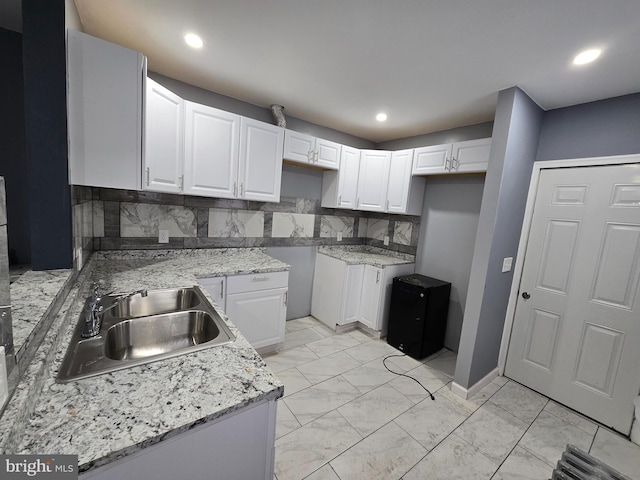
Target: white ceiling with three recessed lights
{"points": [[429, 64]]}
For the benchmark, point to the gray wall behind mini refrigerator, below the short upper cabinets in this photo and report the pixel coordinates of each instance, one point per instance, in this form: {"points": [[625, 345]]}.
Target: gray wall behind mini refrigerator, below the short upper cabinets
{"points": [[448, 228]]}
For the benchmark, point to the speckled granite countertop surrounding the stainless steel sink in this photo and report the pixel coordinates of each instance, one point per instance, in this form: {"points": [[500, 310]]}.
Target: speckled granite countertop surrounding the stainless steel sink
{"points": [[113, 415]]}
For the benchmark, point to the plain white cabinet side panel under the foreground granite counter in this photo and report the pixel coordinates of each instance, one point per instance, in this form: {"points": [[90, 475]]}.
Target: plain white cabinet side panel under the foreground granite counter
{"points": [[237, 446]]}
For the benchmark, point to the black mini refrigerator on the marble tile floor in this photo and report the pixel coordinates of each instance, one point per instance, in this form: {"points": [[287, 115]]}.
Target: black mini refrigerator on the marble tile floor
{"points": [[418, 314]]}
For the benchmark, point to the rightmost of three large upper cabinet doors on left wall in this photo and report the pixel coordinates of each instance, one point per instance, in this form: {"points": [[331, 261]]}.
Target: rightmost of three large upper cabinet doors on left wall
{"points": [[260, 167]]}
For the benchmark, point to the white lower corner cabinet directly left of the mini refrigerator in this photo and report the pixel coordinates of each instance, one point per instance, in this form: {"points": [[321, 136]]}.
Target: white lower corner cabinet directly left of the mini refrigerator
{"points": [[344, 294]]}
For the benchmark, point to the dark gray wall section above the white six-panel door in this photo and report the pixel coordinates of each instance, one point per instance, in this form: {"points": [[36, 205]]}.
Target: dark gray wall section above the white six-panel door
{"points": [[602, 128]]}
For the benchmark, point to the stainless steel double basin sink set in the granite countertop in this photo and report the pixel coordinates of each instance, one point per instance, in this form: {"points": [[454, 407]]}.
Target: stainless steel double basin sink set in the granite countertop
{"points": [[143, 329]]}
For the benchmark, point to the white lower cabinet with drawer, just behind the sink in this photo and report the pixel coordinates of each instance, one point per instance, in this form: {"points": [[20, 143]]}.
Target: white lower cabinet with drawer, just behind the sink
{"points": [[256, 304]]}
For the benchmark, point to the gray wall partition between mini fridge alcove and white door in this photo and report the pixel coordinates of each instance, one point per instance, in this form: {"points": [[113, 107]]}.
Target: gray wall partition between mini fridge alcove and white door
{"points": [[516, 133]]}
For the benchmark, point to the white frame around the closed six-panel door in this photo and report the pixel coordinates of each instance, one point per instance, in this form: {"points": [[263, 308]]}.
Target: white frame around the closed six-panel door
{"points": [[526, 227]]}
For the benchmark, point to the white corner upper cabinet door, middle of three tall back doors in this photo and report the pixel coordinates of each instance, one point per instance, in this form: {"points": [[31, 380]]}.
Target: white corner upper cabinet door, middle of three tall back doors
{"points": [[373, 180]]}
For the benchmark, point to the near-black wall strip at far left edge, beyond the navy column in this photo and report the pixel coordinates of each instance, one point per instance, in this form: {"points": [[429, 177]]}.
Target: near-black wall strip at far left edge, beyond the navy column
{"points": [[14, 146]]}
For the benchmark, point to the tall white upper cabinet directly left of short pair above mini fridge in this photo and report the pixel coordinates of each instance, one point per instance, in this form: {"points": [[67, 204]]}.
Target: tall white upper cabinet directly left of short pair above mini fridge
{"points": [[404, 193]]}
